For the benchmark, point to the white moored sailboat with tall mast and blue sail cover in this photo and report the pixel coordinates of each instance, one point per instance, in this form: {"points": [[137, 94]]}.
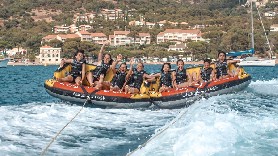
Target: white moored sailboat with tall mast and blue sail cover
{"points": [[251, 60]]}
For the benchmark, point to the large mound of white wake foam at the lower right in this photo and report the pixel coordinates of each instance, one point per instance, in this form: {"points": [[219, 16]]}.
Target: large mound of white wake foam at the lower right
{"points": [[211, 127]]}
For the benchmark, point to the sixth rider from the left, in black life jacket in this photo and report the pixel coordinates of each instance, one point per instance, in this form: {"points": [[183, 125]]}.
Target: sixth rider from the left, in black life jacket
{"points": [[180, 76]]}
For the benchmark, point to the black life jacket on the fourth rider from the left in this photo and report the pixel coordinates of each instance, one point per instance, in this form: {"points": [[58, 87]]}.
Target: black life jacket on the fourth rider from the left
{"points": [[136, 79]]}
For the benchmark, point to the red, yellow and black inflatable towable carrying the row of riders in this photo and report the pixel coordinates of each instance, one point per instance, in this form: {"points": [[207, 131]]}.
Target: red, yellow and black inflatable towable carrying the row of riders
{"points": [[148, 96]]}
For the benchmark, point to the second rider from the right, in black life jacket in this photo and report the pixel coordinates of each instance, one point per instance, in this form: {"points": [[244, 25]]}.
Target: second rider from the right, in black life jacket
{"points": [[207, 72]]}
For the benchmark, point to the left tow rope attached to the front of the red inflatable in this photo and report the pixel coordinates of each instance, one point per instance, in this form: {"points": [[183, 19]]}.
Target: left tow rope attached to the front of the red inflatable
{"points": [[55, 137]]}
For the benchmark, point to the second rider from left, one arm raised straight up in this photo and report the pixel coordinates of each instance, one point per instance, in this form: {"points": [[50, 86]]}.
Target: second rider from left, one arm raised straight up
{"points": [[103, 65]]}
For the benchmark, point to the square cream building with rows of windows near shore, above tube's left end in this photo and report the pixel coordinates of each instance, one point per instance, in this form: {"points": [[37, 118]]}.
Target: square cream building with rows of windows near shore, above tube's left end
{"points": [[49, 55]]}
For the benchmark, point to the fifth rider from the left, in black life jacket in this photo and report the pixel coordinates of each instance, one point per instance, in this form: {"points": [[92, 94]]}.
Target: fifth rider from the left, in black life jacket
{"points": [[166, 77]]}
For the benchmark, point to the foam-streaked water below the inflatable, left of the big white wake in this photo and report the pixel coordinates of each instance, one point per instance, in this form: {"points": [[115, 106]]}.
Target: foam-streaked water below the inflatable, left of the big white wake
{"points": [[27, 129]]}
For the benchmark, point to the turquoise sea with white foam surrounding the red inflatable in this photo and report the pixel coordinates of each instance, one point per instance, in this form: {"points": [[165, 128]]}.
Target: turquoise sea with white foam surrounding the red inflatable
{"points": [[243, 123]]}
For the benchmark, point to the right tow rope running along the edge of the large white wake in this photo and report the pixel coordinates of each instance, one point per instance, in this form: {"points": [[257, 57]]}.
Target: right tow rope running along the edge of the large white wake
{"points": [[160, 132]]}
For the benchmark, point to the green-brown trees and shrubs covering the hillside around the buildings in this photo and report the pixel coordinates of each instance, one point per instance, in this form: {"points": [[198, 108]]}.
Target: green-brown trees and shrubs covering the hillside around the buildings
{"points": [[227, 24]]}
